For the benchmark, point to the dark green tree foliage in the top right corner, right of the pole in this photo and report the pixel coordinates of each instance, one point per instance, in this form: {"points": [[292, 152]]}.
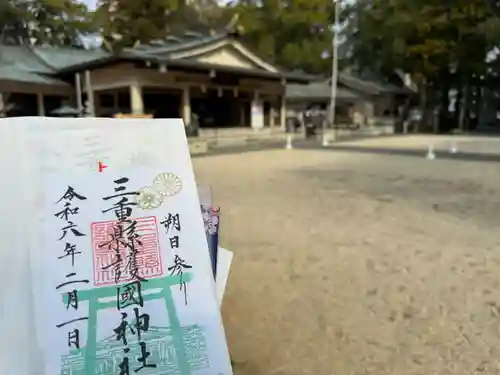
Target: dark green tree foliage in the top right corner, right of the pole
{"points": [[442, 45]]}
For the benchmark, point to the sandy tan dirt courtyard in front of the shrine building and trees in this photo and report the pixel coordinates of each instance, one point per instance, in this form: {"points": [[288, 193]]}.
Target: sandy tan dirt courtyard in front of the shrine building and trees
{"points": [[351, 264]]}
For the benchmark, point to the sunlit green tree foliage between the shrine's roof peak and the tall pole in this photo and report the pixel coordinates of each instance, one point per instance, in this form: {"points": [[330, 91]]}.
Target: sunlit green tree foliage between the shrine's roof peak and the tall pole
{"points": [[293, 34]]}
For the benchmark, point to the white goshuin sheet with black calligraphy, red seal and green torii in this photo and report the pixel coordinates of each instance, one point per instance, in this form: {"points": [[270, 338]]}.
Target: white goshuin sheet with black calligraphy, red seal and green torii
{"points": [[121, 277]]}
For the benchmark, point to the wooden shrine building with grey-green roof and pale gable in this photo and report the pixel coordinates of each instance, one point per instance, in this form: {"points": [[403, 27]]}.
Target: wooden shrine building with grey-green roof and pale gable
{"points": [[214, 77]]}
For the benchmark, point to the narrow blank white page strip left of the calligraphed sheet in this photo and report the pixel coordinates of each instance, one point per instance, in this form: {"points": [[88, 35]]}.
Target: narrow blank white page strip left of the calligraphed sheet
{"points": [[18, 345]]}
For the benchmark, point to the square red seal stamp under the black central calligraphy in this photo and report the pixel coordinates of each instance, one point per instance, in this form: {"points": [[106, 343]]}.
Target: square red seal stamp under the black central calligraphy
{"points": [[148, 258]]}
